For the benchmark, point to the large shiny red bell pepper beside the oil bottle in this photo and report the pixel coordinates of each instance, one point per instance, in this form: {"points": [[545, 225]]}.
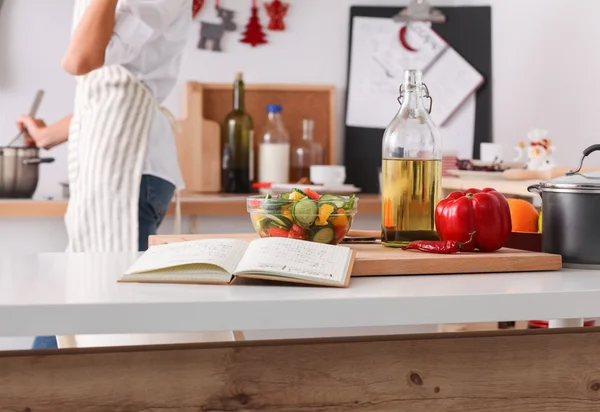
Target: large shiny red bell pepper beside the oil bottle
{"points": [[485, 212]]}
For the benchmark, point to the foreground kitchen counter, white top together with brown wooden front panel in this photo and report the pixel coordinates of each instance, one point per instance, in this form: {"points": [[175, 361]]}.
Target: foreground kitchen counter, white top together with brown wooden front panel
{"points": [[551, 370]]}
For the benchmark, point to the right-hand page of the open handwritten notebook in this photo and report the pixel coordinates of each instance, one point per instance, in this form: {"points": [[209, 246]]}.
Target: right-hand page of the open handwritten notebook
{"points": [[296, 259]]}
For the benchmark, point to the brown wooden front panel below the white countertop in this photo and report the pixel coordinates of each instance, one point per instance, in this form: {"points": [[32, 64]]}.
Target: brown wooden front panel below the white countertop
{"points": [[504, 371]]}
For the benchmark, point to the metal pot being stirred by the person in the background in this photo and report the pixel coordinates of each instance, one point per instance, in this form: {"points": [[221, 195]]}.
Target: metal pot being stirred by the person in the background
{"points": [[19, 171]]}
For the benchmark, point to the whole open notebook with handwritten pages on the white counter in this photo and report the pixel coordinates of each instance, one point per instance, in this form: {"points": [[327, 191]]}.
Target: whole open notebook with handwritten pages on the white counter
{"points": [[220, 261]]}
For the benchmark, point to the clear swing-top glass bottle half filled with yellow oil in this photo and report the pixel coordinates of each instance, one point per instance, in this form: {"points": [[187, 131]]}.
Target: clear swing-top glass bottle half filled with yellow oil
{"points": [[411, 169]]}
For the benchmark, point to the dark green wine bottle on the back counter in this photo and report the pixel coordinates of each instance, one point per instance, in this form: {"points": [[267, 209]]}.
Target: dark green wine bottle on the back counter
{"points": [[237, 145]]}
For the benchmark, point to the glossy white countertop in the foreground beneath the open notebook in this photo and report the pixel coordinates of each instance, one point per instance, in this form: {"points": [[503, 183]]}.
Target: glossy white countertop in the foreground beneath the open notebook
{"points": [[78, 294]]}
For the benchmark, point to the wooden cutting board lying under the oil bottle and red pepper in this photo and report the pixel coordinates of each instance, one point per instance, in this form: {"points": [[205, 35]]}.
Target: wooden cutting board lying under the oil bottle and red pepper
{"points": [[376, 260]]}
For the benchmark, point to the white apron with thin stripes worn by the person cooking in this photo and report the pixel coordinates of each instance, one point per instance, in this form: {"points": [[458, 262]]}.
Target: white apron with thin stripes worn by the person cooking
{"points": [[108, 140]]}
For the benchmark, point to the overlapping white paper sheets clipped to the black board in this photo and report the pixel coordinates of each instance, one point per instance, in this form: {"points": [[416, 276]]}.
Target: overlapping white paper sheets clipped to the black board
{"points": [[377, 68]]}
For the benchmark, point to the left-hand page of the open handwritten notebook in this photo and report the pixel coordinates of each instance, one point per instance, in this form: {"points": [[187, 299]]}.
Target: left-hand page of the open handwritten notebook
{"points": [[224, 253]]}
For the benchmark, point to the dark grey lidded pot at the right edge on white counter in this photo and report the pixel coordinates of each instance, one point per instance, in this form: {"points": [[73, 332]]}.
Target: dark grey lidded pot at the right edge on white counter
{"points": [[571, 216]]}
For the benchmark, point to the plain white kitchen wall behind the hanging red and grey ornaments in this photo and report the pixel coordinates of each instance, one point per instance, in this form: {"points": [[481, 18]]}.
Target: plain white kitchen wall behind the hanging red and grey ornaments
{"points": [[545, 61]]}
